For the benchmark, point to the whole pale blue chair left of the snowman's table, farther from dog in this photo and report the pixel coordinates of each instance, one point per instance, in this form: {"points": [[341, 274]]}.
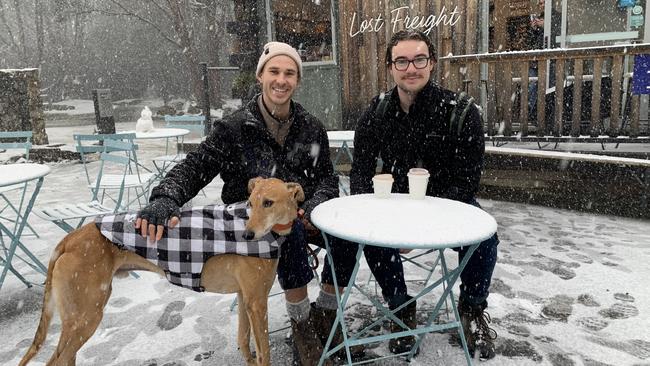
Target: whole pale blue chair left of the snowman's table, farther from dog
{"points": [[131, 180]]}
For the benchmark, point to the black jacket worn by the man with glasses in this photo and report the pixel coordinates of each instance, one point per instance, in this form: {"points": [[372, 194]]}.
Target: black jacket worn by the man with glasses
{"points": [[421, 138]]}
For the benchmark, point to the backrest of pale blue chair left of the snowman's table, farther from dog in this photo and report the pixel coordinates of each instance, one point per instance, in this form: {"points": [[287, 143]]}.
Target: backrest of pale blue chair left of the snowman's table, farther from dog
{"points": [[97, 143]]}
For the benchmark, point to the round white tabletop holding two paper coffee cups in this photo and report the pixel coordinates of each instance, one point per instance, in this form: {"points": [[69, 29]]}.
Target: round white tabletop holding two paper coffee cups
{"points": [[402, 222]]}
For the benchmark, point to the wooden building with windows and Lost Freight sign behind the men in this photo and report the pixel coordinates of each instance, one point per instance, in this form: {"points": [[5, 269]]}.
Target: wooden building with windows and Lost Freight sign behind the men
{"points": [[343, 43]]}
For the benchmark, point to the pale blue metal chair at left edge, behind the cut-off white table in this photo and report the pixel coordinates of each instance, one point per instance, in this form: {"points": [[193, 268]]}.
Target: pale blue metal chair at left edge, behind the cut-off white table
{"points": [[19, 140]]}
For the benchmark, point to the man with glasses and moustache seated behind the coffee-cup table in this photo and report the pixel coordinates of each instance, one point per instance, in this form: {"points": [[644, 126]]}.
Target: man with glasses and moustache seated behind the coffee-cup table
{"points": [[409, 127]]}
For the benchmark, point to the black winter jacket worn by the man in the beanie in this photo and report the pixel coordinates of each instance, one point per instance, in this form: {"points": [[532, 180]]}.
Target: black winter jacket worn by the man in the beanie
{"points": [[240, 147]]}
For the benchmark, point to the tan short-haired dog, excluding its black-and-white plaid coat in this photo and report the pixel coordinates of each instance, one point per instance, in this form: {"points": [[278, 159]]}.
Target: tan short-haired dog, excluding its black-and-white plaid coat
{"points": [[80, 300]]}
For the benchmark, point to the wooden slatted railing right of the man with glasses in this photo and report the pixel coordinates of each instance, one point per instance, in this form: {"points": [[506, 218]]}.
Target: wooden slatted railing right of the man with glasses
{"points": [[562, 113]]}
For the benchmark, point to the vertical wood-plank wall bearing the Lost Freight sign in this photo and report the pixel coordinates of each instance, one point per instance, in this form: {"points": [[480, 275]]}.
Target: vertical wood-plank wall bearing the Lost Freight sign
{"points": [[363, 72]]}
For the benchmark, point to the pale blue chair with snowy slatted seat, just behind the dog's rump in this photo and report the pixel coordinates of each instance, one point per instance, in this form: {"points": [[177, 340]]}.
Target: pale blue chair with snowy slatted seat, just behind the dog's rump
{"points": [[63, 213]]}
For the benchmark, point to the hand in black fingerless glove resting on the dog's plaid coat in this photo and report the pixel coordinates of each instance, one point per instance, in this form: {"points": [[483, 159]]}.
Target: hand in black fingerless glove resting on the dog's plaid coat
{"points": [[151, 219]]}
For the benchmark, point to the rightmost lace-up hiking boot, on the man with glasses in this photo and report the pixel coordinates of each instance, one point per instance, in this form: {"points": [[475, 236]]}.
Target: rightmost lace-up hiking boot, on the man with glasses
{"points": [[479, 335]]}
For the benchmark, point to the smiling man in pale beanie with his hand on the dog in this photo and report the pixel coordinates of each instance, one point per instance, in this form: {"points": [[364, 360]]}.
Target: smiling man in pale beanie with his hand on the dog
{"points": [[272, 136]]}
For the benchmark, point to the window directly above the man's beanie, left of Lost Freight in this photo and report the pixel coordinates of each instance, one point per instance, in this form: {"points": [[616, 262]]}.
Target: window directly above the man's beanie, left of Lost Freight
{"points": [[306, 25]]}
